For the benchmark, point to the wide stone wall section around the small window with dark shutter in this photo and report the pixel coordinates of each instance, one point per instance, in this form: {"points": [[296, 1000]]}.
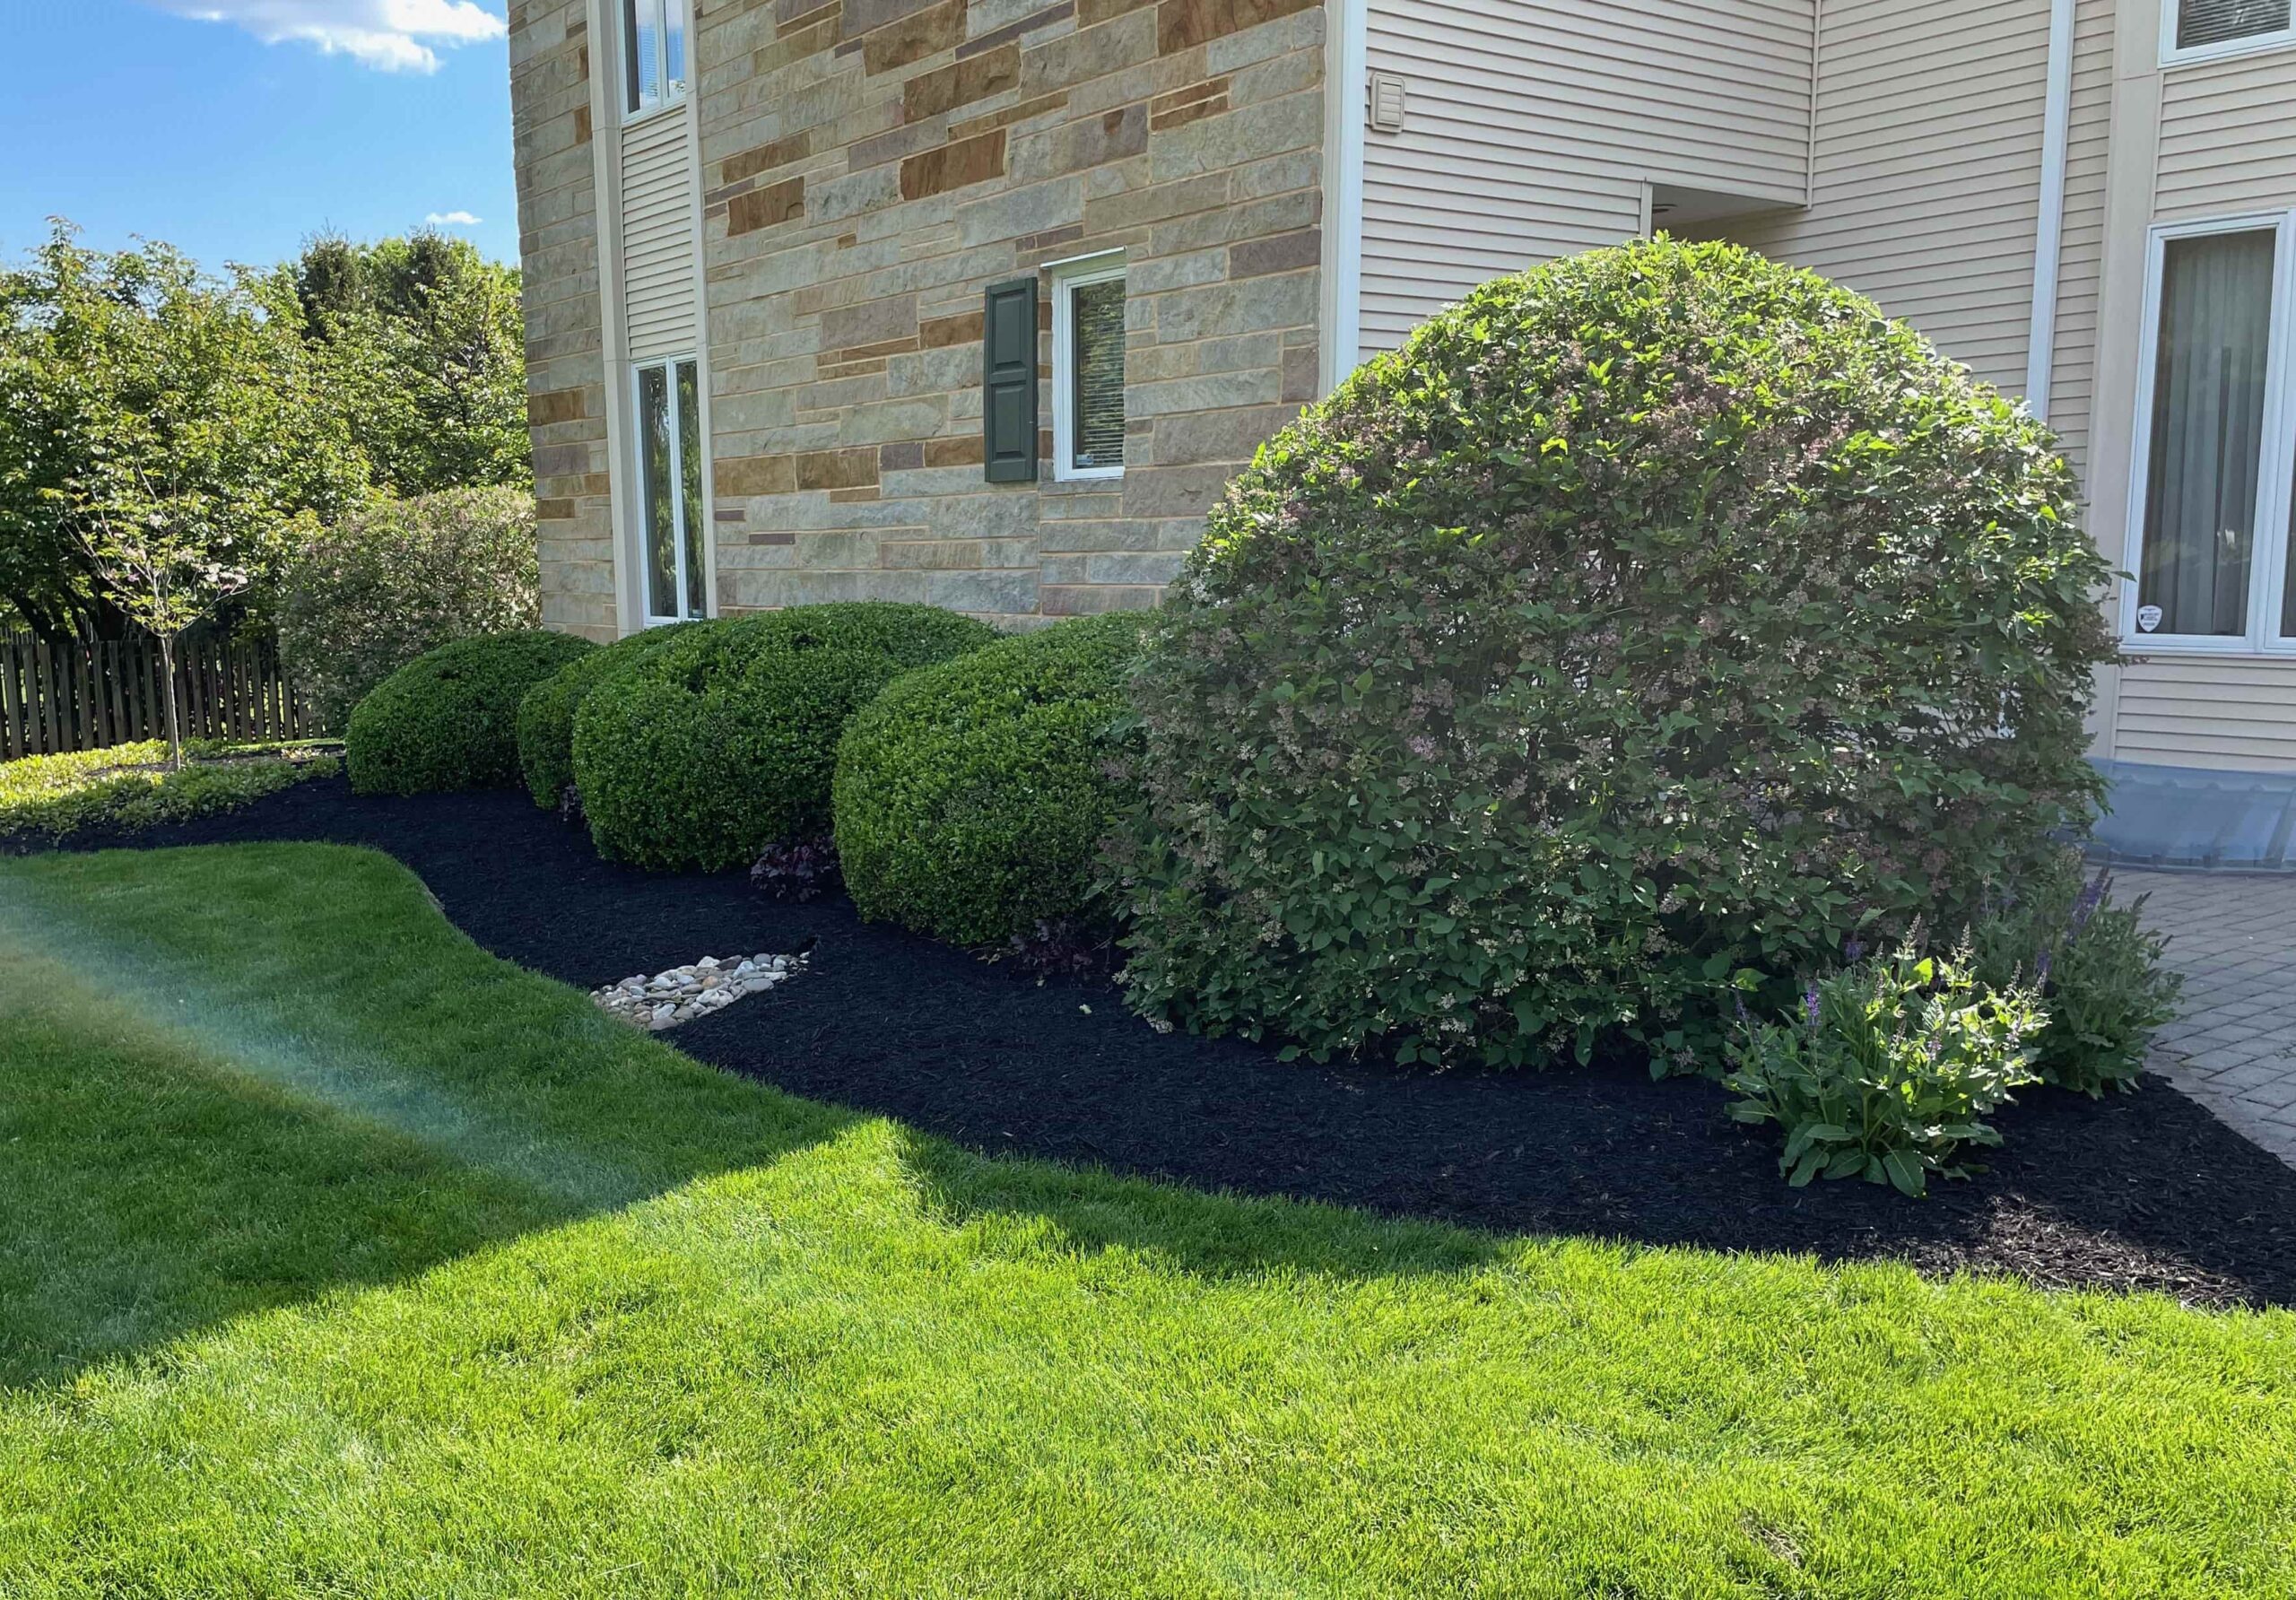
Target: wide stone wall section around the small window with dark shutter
{"points": [[869, 169]]}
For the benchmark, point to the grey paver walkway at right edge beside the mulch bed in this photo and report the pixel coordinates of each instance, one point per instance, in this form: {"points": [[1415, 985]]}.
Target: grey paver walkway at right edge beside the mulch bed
{"points": [[2235, 1046]]}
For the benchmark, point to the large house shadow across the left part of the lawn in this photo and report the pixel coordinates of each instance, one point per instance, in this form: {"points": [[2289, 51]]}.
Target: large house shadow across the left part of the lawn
{"points": [[185, 1142]]}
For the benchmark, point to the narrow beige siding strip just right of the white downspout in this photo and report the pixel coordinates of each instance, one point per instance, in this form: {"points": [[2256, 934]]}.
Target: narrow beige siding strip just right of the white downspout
{"points": [[2081, 254]]}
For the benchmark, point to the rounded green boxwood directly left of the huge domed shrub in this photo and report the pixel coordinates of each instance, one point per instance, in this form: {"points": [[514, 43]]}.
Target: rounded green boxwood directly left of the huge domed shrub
{"points": [[972, 798]]}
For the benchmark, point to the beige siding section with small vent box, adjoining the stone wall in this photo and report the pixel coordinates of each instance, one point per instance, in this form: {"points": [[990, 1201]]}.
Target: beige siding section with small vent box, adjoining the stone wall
{"points": [[1533, 127]]}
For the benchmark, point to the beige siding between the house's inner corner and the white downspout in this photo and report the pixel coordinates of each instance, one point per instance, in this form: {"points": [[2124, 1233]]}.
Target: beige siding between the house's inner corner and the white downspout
{"points": [[1927, 169]]}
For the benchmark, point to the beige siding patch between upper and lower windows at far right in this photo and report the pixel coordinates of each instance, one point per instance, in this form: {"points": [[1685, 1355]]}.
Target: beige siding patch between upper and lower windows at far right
{"points": [[2228, 139]]}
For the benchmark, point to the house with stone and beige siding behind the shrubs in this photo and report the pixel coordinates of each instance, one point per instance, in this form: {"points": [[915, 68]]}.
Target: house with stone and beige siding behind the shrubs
{"points": [[979, 302]]}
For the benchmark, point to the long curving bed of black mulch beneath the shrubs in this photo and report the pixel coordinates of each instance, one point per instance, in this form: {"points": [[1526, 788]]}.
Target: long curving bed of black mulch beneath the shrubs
{"points": [[2132, 1193]]}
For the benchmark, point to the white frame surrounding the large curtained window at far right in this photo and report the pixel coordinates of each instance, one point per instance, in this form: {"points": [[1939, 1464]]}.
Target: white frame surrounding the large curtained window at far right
{"points": [[2276, 474]]}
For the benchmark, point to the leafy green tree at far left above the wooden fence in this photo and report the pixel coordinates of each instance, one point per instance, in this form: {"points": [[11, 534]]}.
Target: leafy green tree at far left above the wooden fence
{"points": [[157, 435]]}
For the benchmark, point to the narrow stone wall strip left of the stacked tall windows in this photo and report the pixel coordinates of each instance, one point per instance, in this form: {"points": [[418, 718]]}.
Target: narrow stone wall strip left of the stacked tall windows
{"points": [[566, 368]]}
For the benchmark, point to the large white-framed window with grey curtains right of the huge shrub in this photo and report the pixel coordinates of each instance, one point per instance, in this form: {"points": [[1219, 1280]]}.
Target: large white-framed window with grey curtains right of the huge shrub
{"points": [[2217, 444]]}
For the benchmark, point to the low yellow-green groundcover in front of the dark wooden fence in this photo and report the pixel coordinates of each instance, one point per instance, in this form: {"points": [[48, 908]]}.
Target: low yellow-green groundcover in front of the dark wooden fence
{"points": [[132, 786]]}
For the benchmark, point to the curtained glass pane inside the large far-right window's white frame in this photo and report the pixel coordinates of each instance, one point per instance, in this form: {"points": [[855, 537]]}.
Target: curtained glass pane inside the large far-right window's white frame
{"points": [[2208, 435]]}
